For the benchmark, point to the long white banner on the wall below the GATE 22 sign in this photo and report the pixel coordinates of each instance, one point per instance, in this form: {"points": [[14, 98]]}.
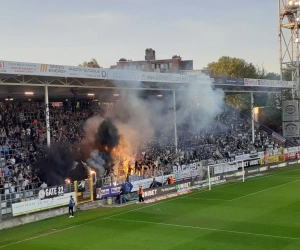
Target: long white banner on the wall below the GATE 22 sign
{"points": [[32, 206]]}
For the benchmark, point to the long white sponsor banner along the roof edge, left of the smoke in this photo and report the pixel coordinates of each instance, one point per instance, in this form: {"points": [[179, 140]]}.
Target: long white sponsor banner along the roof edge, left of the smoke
{"points": [[23, 68]]}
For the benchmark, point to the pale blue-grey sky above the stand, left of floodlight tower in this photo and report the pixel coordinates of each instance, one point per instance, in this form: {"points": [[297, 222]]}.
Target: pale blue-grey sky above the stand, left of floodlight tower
{"points": [[71, 31]]}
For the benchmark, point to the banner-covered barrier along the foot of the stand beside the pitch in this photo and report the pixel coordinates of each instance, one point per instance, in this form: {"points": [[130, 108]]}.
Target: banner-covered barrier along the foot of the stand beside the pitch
{"points": [[185, 177]]}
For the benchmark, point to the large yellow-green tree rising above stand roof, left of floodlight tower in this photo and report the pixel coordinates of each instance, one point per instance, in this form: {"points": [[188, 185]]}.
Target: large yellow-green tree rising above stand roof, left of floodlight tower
{"points": [[233, 67]]}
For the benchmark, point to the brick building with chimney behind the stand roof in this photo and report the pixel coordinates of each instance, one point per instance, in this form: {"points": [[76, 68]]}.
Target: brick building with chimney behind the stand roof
{"points": [[151, 64]]}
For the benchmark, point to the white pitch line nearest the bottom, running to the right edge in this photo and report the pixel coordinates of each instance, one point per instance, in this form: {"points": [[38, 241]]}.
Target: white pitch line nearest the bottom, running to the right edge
{"points": [[209, 229]]}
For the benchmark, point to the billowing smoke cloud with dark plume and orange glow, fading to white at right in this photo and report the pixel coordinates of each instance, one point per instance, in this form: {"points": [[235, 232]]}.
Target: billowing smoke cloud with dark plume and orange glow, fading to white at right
{"points": [[142, 116]]}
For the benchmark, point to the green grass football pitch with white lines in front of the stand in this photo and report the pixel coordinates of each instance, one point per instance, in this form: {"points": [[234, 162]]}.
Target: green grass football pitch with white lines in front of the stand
{"points": [[261, 213]]}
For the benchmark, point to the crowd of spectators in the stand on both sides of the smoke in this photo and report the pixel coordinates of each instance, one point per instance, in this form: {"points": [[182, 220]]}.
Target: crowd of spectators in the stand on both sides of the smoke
{"points": [[23, 132]]}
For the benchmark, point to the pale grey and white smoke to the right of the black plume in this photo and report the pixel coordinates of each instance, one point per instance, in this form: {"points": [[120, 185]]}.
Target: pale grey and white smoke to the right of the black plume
{"points": [[143, 116]]}
